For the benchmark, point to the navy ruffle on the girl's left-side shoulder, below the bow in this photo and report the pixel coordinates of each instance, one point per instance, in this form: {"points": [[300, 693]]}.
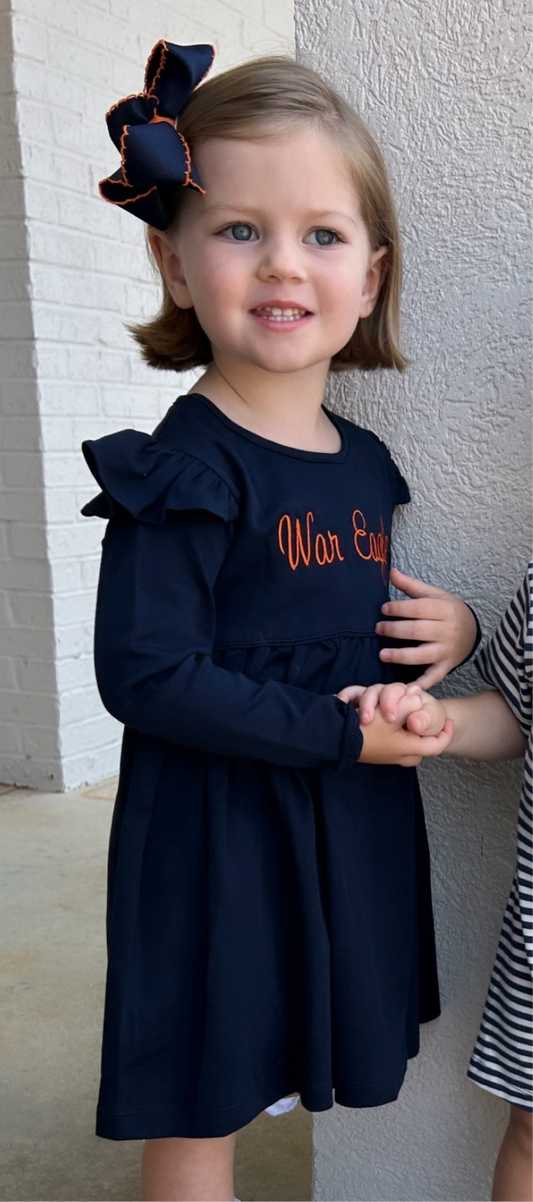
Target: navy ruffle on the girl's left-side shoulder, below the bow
{"points": [[143, 477]]}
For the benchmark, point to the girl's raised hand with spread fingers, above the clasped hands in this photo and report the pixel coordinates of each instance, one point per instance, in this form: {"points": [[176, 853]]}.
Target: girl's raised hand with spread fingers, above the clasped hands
{"points": [[440, 622]]}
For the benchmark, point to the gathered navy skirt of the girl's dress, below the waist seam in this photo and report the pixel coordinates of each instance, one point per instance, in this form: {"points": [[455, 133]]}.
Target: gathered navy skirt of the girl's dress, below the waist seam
{"points": [[270, 933]]}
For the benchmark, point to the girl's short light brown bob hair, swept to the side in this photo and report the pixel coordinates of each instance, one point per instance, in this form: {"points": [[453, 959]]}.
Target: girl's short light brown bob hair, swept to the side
{"points": [[270, 98]]}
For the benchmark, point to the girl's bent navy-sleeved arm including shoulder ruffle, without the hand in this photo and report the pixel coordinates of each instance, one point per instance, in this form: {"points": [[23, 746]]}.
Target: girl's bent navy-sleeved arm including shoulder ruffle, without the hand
{"points": [[173, 525]]}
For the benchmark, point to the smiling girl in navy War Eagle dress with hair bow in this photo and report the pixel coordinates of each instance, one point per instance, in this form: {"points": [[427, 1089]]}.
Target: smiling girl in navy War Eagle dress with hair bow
{"points": [[270, 926]]}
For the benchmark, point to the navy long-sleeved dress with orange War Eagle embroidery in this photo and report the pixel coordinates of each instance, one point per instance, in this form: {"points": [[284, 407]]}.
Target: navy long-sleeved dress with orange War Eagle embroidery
{"points": [[270, 926]]}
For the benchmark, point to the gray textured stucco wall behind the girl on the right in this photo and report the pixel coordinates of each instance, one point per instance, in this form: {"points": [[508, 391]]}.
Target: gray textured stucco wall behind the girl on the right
{"points": [[448, 92]]}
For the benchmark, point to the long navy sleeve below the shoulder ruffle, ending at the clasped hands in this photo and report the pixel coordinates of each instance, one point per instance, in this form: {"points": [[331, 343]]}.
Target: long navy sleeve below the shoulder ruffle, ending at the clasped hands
{"points": [[156, 622]]}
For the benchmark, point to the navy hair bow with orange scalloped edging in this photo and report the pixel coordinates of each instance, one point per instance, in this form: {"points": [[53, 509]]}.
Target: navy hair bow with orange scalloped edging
{"points": [[144, 129]]}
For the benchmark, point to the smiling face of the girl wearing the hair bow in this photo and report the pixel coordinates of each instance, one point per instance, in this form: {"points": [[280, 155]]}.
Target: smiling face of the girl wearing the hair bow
{"points": [[276, 259]]}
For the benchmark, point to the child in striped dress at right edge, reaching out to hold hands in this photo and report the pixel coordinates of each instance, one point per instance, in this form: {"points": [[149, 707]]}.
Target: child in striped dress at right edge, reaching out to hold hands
{"points": [[498, 725]]}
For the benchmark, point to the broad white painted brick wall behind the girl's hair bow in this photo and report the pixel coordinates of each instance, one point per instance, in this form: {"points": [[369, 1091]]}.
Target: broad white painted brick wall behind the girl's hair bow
{"points": [[88, 276]]}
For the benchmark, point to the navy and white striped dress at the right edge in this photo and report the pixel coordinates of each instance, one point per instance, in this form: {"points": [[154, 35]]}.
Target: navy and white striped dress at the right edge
{"points": [[502, 1061]]}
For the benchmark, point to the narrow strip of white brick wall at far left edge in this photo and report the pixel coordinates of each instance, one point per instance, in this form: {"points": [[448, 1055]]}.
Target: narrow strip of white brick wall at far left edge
{"points": [[29, 734]]}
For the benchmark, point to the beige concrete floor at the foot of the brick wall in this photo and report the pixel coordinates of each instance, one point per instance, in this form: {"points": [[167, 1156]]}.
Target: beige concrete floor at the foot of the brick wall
{"points": [[52, 966]]}
